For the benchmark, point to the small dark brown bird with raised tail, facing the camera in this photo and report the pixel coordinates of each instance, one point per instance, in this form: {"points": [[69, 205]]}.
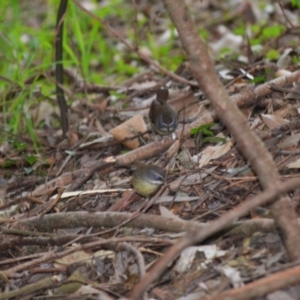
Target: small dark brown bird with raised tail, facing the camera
{"points": [[163, 118]]}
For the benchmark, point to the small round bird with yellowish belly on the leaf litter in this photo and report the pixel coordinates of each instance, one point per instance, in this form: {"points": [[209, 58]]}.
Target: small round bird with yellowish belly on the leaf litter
{"points": [[147, 179]]}
